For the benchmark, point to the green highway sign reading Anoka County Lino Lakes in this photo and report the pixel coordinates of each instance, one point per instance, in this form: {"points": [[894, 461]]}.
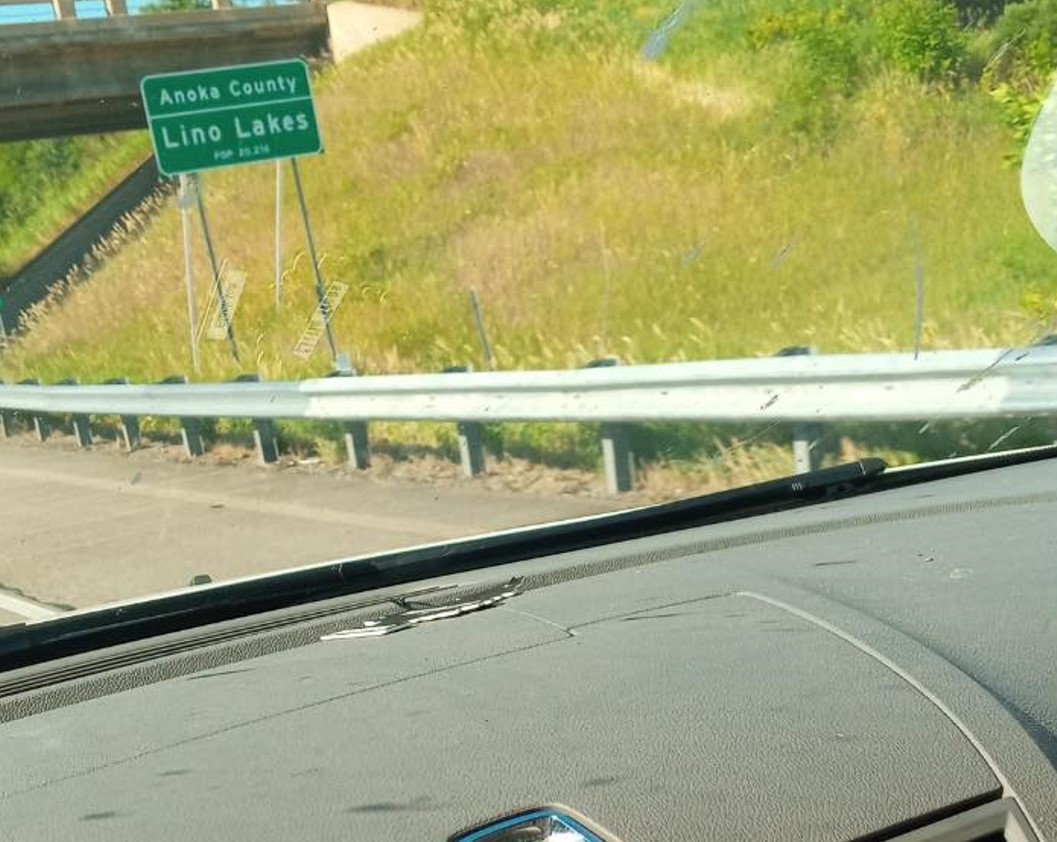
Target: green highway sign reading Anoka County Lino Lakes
{"points": [[203, 120]]}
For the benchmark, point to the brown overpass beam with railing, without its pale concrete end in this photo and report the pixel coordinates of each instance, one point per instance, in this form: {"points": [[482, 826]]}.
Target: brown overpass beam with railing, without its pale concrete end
{"points": [[82, 77]]}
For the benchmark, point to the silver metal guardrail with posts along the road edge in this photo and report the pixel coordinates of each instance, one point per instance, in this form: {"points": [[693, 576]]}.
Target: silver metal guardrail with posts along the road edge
{"points": [[800, 390]]}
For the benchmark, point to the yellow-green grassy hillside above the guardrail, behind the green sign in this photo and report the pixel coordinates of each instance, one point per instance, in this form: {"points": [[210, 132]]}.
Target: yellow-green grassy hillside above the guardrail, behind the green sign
{"points": [[776, 177]]}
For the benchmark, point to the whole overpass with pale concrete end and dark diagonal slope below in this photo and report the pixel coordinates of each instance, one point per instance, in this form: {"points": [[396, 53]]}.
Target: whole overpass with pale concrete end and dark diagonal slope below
{"points": [[73, 76]]}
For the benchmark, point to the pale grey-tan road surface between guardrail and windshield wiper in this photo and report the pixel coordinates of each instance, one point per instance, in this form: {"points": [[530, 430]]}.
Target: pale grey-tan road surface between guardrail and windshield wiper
{"points": [[79, 529]]}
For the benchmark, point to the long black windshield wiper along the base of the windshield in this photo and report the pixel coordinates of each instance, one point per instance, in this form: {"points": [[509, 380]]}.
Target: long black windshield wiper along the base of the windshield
{"points": [[82, 632]]}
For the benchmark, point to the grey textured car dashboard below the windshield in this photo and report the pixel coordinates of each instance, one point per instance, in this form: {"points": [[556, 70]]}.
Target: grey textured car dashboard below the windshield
{"points": [[875, 668]]}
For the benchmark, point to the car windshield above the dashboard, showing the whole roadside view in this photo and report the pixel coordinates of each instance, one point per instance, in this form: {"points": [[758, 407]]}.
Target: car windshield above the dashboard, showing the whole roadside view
{"points": [[287, 284]]}
